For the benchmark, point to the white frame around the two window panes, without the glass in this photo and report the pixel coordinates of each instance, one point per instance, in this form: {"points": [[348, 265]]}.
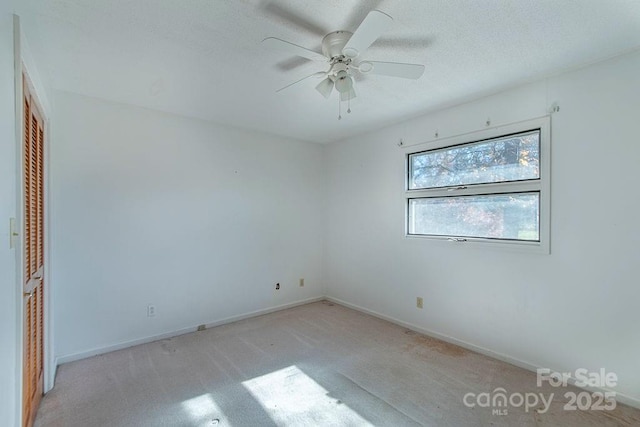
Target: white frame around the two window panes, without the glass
{"points": [[541, 185]]}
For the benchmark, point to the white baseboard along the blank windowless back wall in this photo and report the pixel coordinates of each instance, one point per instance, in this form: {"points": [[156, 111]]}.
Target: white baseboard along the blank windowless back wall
{"points": [[125, 344]]}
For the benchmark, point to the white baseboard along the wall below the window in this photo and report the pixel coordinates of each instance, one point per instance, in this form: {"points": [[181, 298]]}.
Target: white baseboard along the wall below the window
{"points": [[620, 397]]}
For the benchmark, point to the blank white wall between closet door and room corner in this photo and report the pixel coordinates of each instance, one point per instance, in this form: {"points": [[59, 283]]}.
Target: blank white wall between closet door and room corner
{"points": [[198, 219]]}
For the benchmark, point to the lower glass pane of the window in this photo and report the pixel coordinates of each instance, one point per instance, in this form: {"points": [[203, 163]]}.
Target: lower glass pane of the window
{"points": [[494, 216]]}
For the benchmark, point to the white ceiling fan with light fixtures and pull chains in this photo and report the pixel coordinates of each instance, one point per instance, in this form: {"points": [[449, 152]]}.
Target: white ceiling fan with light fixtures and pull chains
{"points": [[342, 51]]}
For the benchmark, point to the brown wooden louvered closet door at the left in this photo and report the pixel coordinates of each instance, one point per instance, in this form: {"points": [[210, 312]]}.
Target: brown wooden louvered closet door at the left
{"points": [[33, 156]]}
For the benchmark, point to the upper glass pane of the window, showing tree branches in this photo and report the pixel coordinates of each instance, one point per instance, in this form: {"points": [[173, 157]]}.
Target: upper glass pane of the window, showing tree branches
{"points": [[510, 158]]}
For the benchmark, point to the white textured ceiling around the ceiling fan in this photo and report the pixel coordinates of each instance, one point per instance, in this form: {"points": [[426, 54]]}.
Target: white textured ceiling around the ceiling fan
{"points": [[204, 58]]}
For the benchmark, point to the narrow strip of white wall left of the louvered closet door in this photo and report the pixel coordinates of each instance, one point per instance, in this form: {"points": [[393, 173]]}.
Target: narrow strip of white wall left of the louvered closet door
{"points": [[8, 297]]}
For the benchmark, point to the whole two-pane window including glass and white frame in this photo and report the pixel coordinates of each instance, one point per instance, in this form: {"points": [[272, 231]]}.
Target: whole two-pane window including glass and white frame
{"points": [[491, 187]]}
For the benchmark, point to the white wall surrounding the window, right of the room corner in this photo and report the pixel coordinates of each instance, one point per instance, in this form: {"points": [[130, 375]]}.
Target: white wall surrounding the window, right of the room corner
{"points": [[578, 306]]}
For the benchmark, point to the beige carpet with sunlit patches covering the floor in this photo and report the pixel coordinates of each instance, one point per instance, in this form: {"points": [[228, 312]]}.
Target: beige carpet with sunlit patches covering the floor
{"points": [[318, 364]]}
